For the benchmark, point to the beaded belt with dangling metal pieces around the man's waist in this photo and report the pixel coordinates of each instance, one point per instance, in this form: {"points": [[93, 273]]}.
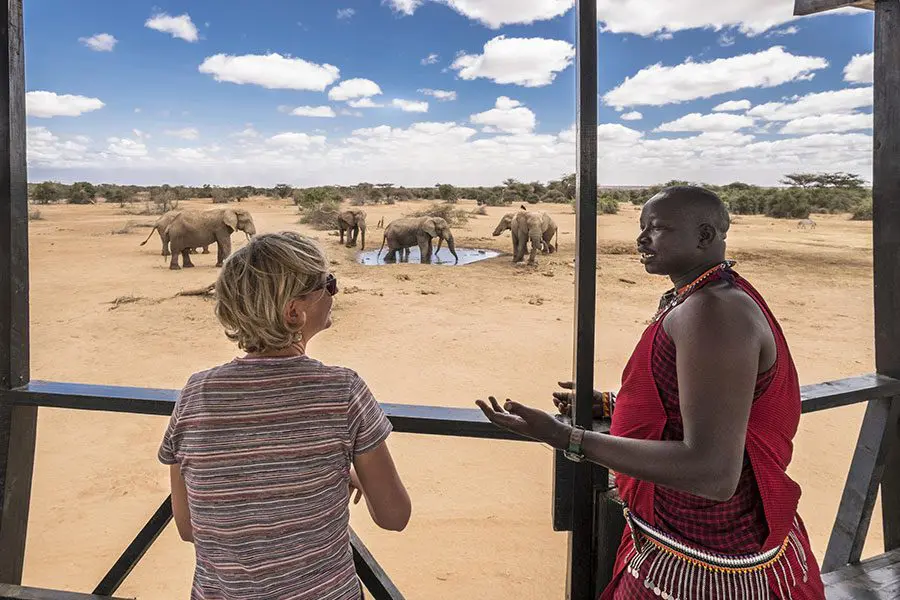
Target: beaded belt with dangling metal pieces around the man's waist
{"points": [[680, 572]]}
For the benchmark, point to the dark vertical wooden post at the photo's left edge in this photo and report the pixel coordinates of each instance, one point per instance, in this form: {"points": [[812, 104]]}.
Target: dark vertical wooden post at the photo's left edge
{"points": [[17, 424]]}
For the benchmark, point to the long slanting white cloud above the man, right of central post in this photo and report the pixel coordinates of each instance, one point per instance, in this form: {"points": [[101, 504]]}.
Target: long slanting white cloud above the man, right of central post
{"points": [[658, 85]]}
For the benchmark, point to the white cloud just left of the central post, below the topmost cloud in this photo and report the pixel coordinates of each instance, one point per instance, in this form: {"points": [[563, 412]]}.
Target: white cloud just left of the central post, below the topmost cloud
{"points": [[529, 62]]}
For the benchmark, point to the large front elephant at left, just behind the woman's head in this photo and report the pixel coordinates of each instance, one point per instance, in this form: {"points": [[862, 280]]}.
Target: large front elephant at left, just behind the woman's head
{"points": [[193, 229]]}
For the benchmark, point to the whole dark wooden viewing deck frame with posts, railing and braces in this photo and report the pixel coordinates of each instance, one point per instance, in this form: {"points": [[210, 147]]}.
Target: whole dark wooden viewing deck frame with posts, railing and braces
{"points": [[585, 503]]}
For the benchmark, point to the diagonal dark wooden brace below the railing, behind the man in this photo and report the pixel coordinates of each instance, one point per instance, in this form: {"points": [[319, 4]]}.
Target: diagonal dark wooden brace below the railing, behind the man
{"points": [[858, 500]]}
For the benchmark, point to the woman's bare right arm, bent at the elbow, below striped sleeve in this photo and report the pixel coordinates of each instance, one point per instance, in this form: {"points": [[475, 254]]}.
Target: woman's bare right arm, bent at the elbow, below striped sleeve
{"points": [[386, 497]]}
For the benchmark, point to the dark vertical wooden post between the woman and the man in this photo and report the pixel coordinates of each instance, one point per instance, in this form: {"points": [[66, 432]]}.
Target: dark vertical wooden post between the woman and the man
{"points": [[580, 579]]}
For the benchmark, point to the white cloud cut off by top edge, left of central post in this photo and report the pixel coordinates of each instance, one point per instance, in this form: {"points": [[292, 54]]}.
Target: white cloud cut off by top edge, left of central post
{"points": [[495, 13]]}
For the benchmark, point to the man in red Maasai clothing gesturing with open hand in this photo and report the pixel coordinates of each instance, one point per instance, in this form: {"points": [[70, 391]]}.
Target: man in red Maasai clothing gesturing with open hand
{"points": [[702, 427]]}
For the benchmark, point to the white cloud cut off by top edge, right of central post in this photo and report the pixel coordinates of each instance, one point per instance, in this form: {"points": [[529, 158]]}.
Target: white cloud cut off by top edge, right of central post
{"points": [[646, 17]]}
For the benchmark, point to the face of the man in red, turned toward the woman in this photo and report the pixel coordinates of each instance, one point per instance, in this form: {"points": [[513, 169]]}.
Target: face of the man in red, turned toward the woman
{"points": [[669, 238]]}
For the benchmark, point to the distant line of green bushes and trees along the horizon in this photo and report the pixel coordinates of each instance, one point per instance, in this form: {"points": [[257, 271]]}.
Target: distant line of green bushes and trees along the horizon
{"points": [[802, 194]]}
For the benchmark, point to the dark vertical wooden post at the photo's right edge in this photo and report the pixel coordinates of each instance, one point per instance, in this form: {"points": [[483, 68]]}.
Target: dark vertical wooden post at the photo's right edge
{"points": [[886, 239]]}
